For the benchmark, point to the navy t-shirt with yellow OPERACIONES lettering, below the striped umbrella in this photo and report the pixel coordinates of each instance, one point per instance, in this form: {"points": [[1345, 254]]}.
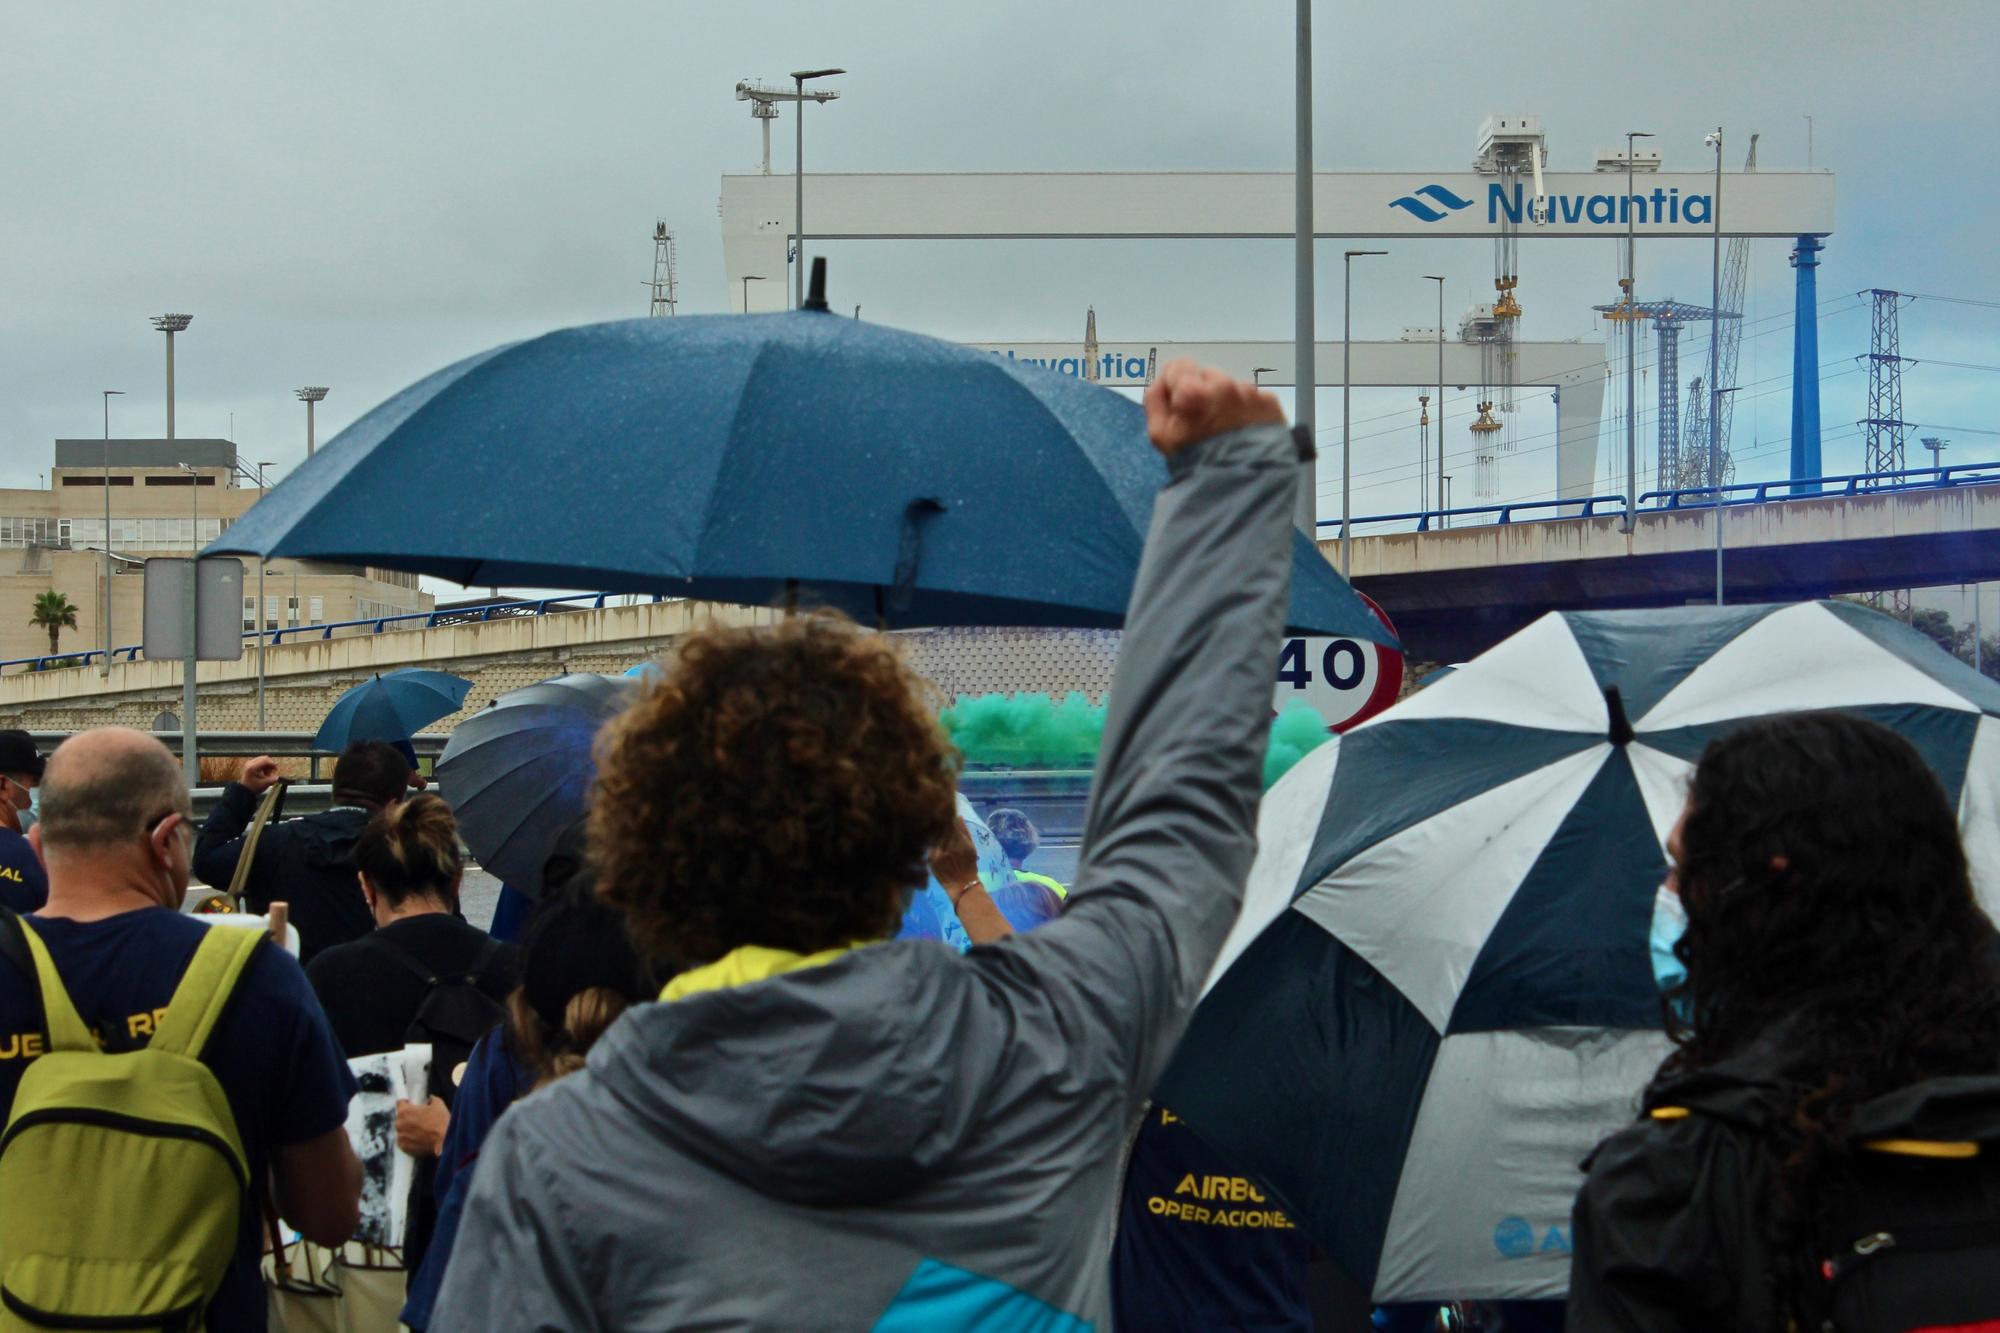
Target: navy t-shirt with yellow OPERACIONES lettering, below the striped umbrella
{"points": [[1203, 1246]]}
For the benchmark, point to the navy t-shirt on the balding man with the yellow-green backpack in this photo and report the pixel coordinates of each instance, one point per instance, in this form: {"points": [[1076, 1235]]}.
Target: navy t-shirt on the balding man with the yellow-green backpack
{"points": [[271, 1052]]}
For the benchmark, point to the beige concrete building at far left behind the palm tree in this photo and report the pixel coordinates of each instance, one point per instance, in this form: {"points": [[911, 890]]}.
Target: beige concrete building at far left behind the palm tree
{"points": [[167, 497]]}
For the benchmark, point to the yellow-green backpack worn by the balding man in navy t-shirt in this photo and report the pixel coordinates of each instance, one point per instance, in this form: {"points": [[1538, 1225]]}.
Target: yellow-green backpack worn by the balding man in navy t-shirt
{"points": [[123, 1178]]}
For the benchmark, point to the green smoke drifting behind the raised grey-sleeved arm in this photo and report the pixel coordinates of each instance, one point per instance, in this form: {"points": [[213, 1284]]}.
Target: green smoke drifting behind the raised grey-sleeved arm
{"points": [[1035, 732]]}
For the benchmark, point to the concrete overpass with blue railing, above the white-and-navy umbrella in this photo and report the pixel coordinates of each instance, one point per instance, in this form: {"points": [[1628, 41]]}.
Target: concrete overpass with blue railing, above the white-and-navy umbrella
{"points": [[1463, 589]]}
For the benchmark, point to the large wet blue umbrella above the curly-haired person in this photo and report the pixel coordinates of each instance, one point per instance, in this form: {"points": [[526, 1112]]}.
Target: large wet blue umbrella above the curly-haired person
{"points": [[759, 457]]}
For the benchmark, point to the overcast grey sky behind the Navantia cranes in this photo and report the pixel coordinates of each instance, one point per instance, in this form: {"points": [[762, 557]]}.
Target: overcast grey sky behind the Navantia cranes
{"points": [[357, 195]]}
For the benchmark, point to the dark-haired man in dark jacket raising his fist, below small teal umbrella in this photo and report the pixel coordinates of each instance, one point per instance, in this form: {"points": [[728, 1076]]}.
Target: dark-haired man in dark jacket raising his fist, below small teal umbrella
{"points": [[305, 862]]}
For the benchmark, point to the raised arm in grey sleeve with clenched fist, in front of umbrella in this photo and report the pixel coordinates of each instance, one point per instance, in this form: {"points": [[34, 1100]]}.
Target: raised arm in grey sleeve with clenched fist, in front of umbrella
{"points": [[1173, 810]]}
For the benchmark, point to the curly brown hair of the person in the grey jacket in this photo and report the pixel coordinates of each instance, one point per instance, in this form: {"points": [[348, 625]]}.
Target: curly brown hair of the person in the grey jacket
{"points": [[777, 786]]}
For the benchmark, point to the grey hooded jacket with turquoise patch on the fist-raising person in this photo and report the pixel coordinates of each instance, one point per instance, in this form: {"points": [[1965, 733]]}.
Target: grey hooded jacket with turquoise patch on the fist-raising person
{"points": [[909, 1138]]}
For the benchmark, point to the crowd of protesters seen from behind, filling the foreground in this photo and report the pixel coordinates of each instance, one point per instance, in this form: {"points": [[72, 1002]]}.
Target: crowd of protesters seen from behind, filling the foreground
{"points": [[711, 1090]]}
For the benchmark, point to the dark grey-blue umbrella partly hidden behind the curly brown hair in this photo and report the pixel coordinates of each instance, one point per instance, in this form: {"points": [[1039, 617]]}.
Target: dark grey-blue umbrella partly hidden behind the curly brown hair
{"points": [[517, 774]]}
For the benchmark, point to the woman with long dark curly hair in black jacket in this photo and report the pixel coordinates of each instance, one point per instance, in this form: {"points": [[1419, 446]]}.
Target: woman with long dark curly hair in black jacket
{"points": [[1823, 1146]]}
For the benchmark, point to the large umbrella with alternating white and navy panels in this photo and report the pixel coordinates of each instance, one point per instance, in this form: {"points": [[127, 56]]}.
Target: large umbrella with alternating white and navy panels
{"points": [[1453, 998]]}
